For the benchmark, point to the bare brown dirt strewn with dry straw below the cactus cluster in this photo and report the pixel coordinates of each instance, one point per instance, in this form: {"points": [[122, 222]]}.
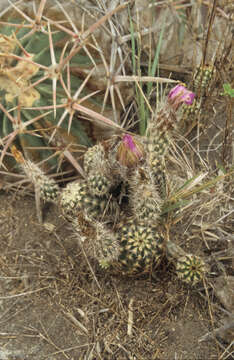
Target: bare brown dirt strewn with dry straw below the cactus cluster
{"points": [[53, 307]]}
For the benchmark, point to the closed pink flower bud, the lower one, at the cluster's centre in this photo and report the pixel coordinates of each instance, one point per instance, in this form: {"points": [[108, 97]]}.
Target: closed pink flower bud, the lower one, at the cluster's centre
{"points": [[130, 151]]}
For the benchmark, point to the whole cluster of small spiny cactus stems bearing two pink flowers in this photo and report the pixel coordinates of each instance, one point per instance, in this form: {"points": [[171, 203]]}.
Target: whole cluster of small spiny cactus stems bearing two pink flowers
{"points": [[126, 229]]}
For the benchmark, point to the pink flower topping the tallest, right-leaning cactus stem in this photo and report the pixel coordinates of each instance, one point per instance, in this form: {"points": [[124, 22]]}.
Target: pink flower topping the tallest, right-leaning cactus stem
{"points": [[180, 95]]}
